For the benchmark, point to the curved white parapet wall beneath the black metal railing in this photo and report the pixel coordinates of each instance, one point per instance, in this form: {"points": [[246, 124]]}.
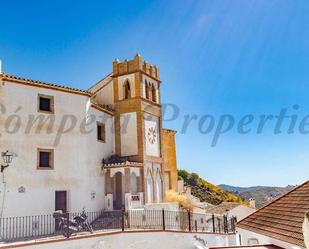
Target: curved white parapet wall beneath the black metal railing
{"points": [[136, 240]]}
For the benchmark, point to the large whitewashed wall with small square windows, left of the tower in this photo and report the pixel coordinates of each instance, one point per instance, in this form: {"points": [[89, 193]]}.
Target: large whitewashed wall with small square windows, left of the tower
{"points": [[77, 157]]}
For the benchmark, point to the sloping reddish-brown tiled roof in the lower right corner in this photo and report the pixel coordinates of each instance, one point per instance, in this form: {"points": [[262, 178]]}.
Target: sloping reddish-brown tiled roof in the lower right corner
{"points": [[281, 219]]}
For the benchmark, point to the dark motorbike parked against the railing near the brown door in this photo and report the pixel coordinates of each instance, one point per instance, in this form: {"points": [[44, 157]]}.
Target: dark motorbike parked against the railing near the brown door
{"points": [[78, 224]]}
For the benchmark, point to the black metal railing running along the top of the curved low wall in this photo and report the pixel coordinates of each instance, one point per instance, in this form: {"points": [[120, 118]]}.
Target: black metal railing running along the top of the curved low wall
{"points": [[39, 226]]}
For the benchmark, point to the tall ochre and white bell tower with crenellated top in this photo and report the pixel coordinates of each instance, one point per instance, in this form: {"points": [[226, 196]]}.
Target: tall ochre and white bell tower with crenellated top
{"points": [[138, 121]]}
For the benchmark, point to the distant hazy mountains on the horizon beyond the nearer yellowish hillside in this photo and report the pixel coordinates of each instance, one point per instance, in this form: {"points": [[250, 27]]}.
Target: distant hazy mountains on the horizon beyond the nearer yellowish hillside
{"points": [[261, 194]]}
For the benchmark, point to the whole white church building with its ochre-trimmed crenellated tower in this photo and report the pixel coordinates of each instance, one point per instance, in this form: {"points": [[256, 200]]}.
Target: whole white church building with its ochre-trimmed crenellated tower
{"points": [[100, 149]]}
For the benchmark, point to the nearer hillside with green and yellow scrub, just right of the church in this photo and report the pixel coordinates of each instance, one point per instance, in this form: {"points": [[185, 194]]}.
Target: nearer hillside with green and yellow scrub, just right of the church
{"points": [[206, 191]]}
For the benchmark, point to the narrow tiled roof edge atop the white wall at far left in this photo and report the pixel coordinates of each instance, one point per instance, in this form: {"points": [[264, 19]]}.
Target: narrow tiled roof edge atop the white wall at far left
{"points": [[12, 78]]}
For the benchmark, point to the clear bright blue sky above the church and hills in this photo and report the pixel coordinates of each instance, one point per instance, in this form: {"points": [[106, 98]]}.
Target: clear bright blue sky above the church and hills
{"points": [[215, 57]]}
